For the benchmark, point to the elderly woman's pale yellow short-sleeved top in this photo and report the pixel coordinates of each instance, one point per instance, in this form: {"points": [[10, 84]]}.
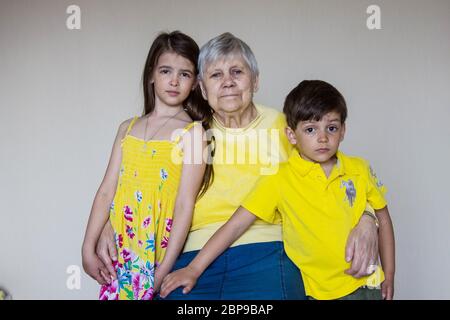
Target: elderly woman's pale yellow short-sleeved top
{"points": [[241, 157]]}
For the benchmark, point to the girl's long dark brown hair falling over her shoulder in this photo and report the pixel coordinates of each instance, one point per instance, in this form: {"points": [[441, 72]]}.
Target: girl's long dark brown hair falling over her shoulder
{"points": [[196, 107]]}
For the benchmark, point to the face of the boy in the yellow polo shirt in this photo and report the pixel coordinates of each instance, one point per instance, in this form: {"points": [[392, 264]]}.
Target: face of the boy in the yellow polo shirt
{"points": [[318, 141]]}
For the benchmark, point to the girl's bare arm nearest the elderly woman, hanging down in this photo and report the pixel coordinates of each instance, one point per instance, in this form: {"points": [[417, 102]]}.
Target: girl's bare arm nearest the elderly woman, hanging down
{"points": [[190, 183]]}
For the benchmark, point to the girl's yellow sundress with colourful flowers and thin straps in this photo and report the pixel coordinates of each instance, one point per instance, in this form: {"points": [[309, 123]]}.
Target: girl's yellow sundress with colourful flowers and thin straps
{"points": [[141, 213]]}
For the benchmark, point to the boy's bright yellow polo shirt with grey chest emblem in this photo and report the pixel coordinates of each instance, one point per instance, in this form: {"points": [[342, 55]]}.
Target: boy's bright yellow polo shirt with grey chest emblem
{"points": [[318, 214]]}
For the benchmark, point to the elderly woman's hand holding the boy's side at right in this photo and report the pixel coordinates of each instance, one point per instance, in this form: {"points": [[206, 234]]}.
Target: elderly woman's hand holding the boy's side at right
{"points": [[362, 248]]}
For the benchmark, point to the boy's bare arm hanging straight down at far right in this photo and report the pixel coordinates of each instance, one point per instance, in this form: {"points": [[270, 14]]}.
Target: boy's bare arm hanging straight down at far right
{"points": [[387, 251]]}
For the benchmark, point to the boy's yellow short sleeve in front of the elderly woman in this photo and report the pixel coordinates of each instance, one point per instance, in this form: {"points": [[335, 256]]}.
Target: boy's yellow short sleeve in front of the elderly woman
{"points": [[263, 199]]}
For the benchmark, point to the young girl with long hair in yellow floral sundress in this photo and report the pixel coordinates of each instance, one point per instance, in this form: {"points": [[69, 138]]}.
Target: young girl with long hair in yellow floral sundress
{"points": [[148, 193]]}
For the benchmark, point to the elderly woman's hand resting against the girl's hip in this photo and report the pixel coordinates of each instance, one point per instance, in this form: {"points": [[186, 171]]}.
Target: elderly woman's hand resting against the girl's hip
{"points": [[106, 250]]}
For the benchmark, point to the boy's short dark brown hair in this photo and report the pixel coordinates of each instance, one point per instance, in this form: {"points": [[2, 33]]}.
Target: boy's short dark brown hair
{"points": [[311, 100]]}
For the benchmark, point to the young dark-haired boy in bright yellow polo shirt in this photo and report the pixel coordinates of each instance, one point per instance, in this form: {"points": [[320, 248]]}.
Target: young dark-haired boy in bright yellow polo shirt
{"points": [[321, 193]]}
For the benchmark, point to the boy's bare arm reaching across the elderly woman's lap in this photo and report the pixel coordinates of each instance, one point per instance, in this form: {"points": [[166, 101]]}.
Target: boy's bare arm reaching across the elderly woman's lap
{"points": [[221, 240]]}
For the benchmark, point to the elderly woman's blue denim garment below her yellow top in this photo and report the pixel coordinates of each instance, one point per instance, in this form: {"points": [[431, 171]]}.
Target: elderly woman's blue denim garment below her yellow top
{"points": [[256, 271]]}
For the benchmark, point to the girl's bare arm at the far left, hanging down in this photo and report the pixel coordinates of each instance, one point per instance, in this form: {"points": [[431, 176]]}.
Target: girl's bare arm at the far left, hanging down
{"points": [[100, 212]]}
